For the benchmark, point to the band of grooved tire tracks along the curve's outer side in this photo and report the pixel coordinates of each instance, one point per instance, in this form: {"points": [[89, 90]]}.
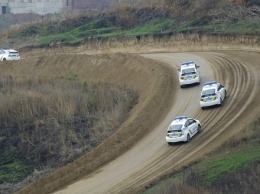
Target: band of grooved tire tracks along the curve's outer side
{"points": [[217, 121]]}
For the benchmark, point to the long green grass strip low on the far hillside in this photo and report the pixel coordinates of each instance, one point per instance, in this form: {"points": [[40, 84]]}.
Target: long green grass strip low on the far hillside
{"points": [[99, 28]]}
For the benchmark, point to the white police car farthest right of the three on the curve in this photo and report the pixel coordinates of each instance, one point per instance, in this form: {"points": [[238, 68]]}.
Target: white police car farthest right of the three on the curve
{"points": [[212, 93]]}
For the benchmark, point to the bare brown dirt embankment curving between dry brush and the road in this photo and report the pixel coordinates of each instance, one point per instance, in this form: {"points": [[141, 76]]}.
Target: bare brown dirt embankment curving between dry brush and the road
{"points": [[152, 80]]}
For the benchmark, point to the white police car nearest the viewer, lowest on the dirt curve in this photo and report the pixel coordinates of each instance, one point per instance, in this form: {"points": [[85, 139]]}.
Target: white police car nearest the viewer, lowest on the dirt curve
{"points": [[182, 129]]}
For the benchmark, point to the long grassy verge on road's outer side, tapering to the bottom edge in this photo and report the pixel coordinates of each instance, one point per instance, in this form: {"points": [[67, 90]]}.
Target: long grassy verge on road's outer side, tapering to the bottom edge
{"points": [[212, 169]]}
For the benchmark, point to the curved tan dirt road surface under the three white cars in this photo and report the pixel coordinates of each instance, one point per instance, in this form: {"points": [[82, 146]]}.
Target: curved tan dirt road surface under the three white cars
{"points": [[151, 157]]}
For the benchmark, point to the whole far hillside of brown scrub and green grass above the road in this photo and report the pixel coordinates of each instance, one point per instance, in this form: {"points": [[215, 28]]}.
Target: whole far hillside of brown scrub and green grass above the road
{"points": [[162, 17]]}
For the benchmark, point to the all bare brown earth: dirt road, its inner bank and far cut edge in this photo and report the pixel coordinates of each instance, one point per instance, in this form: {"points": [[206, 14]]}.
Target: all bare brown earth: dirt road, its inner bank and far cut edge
{"points": [[137, 154]]}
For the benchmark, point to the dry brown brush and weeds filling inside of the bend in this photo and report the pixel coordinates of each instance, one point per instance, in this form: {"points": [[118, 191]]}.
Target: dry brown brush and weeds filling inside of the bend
{"points": [[45, 123]]}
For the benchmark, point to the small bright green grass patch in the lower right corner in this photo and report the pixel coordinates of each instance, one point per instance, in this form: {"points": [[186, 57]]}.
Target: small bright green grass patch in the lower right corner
{"points": [[232, 162]]}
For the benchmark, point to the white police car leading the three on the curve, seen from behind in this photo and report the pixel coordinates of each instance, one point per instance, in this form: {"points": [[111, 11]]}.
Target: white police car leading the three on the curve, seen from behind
{"points": [[189, 73]]}
